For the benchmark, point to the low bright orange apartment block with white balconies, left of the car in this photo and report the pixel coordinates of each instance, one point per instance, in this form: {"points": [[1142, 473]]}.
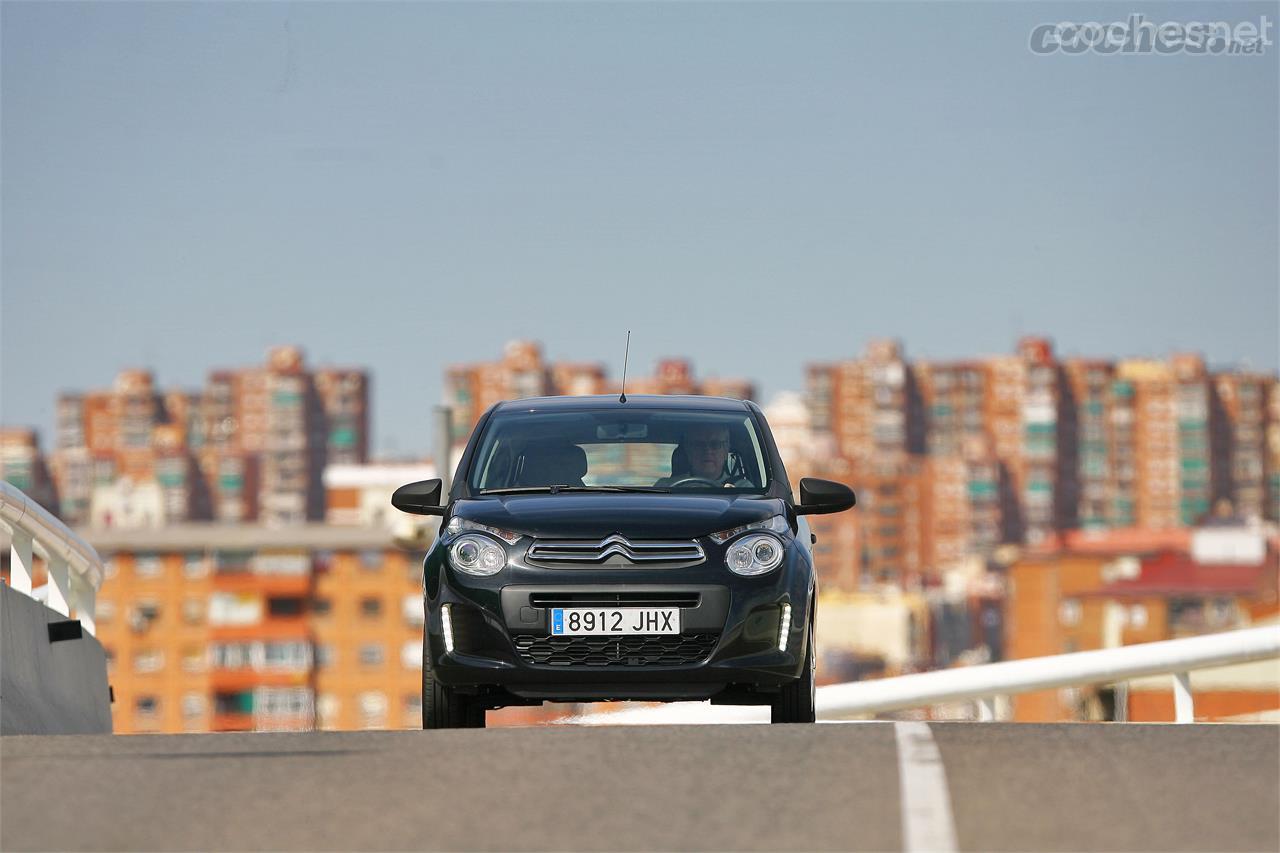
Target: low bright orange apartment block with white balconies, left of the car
{"points": [[214, 628]]}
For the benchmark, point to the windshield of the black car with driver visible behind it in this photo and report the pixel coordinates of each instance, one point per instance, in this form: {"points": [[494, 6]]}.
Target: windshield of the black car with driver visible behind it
{"points": [[610, 450]]}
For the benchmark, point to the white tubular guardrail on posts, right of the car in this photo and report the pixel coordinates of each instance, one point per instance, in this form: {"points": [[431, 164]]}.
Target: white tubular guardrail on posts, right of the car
{"points": [[988, 682]]}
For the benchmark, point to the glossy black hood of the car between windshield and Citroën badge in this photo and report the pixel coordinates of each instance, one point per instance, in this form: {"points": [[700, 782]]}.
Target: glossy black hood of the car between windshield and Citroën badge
{"points": [[638, 517]]}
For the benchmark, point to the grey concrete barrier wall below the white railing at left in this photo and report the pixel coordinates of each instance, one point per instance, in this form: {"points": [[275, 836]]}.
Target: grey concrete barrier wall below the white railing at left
{"points": [[53, 676]]}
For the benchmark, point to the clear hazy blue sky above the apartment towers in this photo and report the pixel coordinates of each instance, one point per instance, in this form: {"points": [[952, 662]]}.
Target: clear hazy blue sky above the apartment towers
{"points": [[755, 186]]}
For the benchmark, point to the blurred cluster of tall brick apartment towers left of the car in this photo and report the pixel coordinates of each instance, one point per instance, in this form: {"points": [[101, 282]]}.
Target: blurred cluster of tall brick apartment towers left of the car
{"points": [[252, 446]]}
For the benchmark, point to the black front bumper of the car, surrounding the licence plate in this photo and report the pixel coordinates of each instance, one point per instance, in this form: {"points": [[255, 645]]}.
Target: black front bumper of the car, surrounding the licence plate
{"points": [[728, 649]]}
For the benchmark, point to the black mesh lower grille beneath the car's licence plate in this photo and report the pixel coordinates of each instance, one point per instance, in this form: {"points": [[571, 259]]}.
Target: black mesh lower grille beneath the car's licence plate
{"points": [[665, 650]]}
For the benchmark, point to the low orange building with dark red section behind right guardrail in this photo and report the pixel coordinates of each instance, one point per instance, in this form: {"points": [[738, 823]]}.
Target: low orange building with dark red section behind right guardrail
{"points": [[1101, 590]]}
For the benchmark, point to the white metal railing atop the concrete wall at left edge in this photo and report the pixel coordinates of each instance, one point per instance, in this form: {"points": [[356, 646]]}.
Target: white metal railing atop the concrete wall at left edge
{"points": [[75, 569]]}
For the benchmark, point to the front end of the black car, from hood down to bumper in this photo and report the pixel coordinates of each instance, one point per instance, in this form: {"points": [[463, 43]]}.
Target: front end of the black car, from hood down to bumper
{"points": [[623, 609]]}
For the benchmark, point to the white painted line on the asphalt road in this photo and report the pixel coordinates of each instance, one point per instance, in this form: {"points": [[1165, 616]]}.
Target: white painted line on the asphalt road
{"points": [[927, 823]]}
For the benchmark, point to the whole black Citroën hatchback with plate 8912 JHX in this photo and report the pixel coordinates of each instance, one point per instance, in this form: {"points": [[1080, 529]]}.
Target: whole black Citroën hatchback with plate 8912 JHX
{"points": [[598, 549]]}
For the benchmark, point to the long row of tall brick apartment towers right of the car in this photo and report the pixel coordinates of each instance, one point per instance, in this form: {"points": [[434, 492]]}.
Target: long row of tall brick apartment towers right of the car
{"points": [[1050, 445]]}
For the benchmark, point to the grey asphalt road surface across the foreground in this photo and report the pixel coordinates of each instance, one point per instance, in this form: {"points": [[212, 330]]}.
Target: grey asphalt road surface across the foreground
{"points": [[746, 787]]}
